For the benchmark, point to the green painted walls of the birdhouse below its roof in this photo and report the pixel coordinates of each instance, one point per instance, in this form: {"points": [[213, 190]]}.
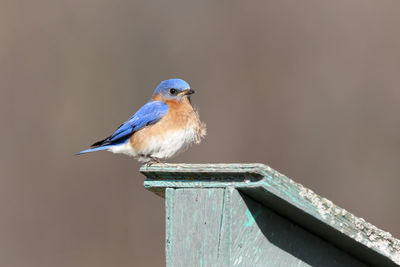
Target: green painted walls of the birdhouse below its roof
{"points": [[221, 227]]}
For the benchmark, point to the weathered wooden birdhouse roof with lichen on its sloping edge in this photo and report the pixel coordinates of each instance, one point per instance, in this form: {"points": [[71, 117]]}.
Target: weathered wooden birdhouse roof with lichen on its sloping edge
{"points": [[286, 197]]}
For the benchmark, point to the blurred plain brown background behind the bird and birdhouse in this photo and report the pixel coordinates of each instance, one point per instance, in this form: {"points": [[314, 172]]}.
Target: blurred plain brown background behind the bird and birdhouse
{"points": [[309, 87]]}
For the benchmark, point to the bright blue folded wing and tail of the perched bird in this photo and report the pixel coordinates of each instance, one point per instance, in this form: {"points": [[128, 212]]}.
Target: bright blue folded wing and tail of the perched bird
{"points": [[149, 114]]}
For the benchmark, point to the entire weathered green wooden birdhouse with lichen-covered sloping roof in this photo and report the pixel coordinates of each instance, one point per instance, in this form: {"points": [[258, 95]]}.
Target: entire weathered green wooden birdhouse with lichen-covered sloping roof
{"points": [[273, 221]]}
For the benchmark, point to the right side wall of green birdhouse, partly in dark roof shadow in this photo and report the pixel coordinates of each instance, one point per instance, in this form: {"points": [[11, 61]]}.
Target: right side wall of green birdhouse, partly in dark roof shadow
{"points": [[261, 237]]}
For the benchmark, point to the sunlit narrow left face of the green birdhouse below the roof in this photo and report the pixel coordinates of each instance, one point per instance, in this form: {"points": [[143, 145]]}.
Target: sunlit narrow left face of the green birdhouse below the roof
{"points": [[197, 227]]}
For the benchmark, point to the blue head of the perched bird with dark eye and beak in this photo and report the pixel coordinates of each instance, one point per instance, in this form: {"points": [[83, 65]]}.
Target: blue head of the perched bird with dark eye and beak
{"points": [[174, 89]]}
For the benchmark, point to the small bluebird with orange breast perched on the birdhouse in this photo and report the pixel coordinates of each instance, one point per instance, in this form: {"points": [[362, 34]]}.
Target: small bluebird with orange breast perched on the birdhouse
{"points": [[163, 127]]}
